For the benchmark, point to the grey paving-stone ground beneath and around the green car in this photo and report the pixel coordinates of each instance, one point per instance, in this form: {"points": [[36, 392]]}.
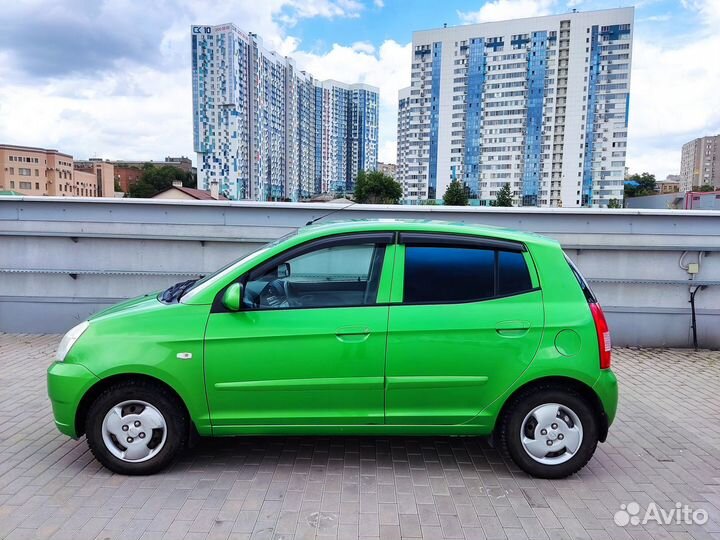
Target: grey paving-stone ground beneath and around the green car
{"points": [[664, 448]]}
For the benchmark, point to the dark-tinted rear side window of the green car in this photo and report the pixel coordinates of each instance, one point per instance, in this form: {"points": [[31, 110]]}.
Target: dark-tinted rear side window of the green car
{"points": [[448, 274]]}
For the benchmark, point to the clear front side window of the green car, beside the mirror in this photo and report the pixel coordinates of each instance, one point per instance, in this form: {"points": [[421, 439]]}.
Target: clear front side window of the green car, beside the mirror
{"points": [[342, 274]]}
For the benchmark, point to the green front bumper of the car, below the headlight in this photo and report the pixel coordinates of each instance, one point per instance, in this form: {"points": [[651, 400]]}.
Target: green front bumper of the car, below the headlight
{"points": [[67, 384]]}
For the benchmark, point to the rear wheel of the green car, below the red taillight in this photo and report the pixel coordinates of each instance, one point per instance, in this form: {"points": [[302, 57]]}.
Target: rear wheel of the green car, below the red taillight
{"points": [[541, 450]]}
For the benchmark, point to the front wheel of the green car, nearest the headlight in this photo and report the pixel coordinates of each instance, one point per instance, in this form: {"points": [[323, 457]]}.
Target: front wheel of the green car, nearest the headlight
{"points": [[146, 420]]}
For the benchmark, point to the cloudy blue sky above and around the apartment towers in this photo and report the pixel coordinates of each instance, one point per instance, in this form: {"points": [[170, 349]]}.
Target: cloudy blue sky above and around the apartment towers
{"points": [[111, 78]]}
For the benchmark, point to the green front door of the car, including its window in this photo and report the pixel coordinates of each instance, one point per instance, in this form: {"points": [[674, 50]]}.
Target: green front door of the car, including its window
{"points": [[308, 346]]}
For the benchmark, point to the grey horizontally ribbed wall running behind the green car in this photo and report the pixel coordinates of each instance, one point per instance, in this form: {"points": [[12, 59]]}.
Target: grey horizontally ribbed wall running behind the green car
{"points": [[62, 259]]}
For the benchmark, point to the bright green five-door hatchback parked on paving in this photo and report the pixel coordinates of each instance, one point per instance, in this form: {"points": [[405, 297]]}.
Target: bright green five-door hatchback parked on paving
{"points": [[354, 328]]}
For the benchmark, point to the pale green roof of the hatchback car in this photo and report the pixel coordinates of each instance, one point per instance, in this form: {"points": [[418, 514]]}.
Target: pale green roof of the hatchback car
{"points": [[421, 225]]}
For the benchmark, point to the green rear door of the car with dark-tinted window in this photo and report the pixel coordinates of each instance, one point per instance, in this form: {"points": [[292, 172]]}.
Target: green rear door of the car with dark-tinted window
{"points": [[466, 319]]}
